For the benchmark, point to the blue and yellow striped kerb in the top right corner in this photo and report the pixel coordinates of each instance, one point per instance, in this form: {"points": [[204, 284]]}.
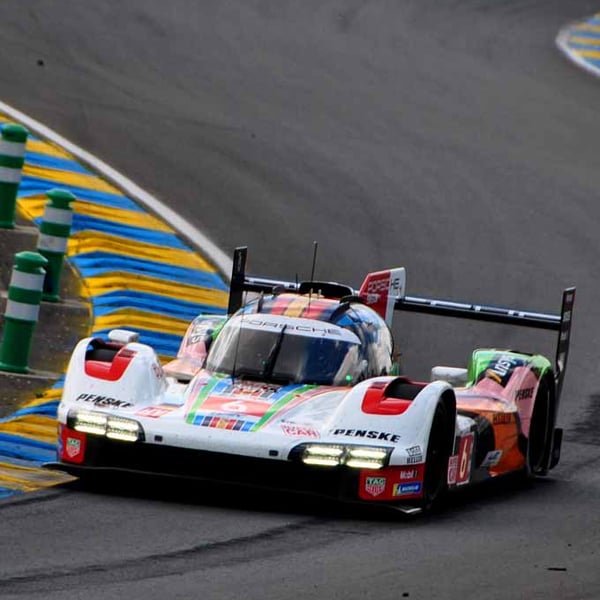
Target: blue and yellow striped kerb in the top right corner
{"points": [[580, 43]]}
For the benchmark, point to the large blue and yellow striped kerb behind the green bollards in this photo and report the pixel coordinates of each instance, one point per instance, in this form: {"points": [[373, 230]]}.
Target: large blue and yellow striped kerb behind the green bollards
{"points": [[135, 272]]}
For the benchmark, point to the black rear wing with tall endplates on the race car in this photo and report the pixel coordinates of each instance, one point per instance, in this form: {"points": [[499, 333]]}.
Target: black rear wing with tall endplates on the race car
{"points": [[561, 323]]}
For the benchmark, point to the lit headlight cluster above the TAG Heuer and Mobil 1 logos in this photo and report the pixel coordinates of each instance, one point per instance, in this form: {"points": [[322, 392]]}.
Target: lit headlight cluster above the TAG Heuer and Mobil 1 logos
{"points": [[330, 455]]}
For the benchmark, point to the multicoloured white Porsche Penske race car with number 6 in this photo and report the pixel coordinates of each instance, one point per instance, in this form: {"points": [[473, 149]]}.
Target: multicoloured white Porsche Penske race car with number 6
{"points": [[297, 388]]}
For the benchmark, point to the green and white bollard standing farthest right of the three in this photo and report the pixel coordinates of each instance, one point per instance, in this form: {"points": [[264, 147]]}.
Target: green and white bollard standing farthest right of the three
{"points": [[54, 235]]}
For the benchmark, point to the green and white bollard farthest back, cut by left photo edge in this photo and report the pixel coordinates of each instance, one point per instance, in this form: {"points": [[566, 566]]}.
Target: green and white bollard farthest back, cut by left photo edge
{"points": [[12, 158]]}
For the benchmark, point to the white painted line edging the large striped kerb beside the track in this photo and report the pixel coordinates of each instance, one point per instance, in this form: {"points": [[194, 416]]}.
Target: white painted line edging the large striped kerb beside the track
{"points": [[196, 238]]}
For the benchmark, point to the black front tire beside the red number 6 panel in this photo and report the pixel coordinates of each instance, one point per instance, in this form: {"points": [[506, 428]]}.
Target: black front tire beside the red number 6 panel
{"points": [[435, 482]]}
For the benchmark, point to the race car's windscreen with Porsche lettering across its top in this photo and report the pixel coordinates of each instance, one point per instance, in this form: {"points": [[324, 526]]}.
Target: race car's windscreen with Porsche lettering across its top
{"points": [[284, 353]]}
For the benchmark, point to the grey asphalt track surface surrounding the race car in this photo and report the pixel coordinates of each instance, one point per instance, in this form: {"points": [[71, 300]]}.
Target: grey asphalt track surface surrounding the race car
{"points": [[446, 136]]}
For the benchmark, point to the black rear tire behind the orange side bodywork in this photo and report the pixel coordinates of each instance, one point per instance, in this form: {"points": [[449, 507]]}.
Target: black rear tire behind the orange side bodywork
{"points": [[540, 433]]}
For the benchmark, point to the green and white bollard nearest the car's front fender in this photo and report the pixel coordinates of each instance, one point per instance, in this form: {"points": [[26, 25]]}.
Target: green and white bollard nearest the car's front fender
{"points": [[22, 310]]}
